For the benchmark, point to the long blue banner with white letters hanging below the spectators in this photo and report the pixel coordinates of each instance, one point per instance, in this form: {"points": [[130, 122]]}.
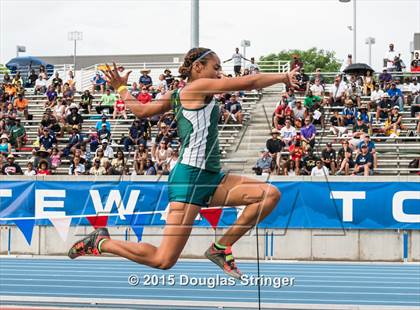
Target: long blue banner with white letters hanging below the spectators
{"points": [[335, 205]]}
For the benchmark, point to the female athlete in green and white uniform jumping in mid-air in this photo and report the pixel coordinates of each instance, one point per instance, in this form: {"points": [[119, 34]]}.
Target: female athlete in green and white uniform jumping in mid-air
{"points": [[196, 180]]}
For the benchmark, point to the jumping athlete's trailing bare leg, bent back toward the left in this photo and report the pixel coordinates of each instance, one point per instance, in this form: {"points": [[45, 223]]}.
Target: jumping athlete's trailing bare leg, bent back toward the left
{"points": [[176, 233]]}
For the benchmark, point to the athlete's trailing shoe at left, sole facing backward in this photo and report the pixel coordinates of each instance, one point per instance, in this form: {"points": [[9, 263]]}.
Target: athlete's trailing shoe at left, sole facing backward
{"points": [[89, 244]]}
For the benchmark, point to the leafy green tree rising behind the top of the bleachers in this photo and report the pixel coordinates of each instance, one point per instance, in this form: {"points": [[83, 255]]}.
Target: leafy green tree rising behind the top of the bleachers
{"points": [[311, 58]]}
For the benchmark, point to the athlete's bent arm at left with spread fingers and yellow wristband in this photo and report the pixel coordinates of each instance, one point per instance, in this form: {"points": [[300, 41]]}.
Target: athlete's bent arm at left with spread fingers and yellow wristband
{"points": [[140, 110]]}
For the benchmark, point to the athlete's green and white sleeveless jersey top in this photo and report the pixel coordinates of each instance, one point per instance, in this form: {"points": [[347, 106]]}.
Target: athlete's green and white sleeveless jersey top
{"points": [[198, 132]]}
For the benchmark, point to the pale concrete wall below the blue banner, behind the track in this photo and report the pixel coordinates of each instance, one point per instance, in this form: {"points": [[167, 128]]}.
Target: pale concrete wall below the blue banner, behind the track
{"points": [[293, 244]]}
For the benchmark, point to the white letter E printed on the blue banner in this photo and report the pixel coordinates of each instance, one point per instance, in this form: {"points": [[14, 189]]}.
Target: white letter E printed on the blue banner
{"points": [[41, 204]]}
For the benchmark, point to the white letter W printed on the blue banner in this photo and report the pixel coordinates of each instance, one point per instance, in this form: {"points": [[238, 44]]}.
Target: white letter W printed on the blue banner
{"points": [[114, 197]]}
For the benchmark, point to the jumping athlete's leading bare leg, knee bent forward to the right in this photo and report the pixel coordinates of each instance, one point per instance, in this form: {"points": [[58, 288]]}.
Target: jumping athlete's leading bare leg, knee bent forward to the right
{"points": [[260, 199]]}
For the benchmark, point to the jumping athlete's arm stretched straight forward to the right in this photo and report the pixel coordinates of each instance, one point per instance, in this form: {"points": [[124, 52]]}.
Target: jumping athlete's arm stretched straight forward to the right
{"points": [[248, 82]]}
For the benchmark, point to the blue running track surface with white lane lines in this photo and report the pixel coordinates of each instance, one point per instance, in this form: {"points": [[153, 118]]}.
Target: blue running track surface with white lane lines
{"points": [[104, 283]]}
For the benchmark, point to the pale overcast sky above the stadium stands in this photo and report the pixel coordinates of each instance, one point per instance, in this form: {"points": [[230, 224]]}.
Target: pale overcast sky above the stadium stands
{"points": [[140, 27]]}
